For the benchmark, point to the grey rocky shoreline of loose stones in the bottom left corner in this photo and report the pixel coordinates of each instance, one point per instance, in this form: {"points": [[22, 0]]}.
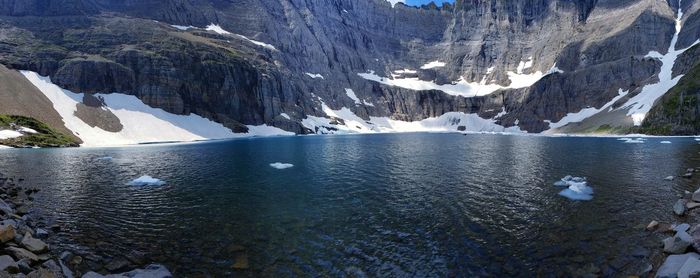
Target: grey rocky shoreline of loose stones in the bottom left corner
{"points": [[24, 252]]}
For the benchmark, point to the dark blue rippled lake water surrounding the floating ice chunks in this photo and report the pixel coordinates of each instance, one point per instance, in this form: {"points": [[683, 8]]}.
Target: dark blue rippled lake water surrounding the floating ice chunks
{"points": [[420, 205]]}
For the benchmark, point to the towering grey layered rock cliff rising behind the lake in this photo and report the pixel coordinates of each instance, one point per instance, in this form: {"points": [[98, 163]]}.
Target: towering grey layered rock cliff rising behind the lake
{"points": [[293, 56]]}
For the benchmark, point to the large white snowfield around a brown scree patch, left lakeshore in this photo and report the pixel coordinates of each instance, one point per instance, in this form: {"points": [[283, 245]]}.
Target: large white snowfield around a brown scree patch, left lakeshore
{"points": [[141, 123]]}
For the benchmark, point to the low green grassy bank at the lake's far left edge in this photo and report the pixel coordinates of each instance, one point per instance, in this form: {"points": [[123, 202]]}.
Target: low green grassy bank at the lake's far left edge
{"points": [[46, 136]]}
